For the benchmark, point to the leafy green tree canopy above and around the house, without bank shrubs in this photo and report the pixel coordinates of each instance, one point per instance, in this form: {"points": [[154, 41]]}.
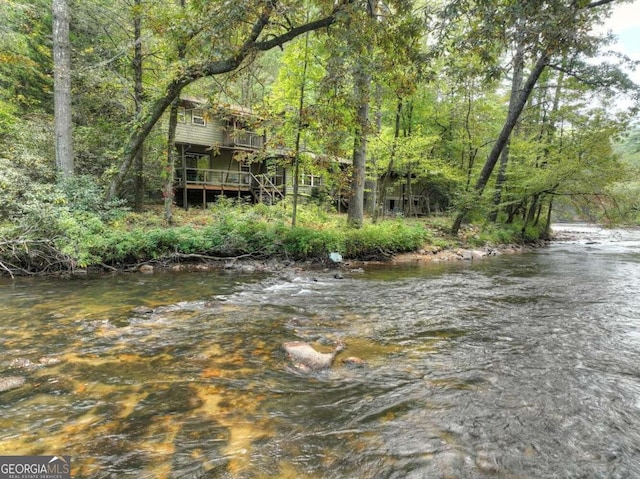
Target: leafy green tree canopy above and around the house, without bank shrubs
{"points": [[492, 111]]}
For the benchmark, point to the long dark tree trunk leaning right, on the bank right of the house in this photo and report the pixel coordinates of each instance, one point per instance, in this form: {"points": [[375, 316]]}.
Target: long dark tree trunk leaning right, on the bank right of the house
{"points": [[512, 118]]}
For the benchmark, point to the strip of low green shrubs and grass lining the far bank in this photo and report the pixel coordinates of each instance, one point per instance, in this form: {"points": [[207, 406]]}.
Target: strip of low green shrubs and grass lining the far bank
{"points": [[65, 239]]}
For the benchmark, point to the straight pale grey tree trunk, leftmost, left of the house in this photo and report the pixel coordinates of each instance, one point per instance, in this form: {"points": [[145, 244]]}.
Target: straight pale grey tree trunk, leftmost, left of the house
{"points": [[62, 89]]}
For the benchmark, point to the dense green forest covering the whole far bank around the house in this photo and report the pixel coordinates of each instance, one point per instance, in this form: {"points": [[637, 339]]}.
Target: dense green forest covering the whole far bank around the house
{"points": [[507, 114]]}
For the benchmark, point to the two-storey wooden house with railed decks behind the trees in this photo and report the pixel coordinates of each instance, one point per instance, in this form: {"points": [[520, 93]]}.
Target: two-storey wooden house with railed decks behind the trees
{"points": [[222, 153]]}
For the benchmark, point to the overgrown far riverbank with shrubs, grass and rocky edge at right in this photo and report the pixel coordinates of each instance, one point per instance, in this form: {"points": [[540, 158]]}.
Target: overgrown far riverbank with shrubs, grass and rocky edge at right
{"points": [[246, 237]]}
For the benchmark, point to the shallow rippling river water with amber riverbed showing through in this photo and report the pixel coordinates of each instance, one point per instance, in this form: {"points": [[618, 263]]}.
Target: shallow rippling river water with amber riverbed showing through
{"points": [[514, 366]]}
